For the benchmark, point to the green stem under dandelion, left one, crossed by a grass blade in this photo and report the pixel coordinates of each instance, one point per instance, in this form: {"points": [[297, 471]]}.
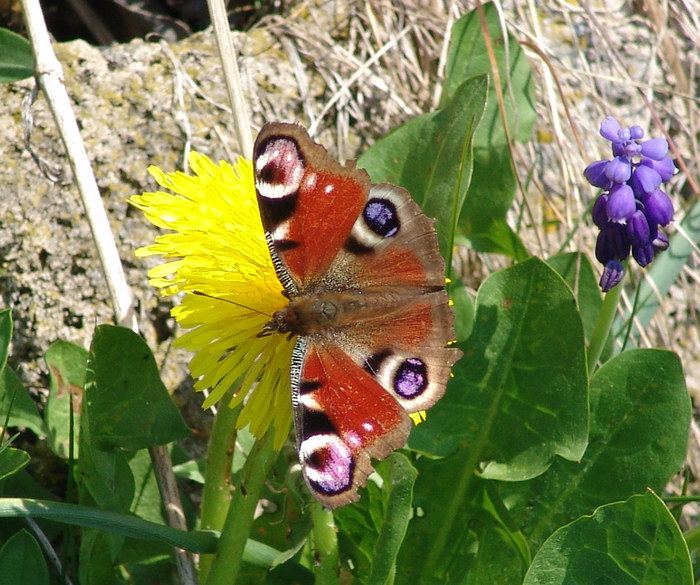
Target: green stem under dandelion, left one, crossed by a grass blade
{"points": [[216, 496]]}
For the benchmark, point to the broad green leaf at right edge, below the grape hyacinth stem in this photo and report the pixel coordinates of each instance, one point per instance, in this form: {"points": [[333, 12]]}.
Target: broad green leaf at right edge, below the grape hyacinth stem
{"points": [[640, 413]]}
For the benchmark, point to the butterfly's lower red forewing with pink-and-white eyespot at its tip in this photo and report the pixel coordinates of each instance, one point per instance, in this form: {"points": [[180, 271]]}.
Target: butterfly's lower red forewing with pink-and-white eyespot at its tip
{"points": [[342, 417]]}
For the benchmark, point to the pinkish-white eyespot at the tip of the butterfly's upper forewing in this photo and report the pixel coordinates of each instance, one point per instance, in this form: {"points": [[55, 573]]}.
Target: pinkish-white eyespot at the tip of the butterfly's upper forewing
{"points": [[279, 168]]}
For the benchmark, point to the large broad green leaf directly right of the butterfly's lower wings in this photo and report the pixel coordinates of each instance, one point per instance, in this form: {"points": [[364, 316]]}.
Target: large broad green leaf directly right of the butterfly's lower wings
{"points": [[518, 397]]}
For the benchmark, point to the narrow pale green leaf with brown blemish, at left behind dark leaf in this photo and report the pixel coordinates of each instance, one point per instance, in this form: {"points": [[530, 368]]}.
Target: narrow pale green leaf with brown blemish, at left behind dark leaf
{"points": [[66, 363]]}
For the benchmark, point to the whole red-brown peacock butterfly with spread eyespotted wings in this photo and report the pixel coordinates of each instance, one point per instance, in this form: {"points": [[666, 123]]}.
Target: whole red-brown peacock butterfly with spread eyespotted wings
{"points": [[361, 267]]}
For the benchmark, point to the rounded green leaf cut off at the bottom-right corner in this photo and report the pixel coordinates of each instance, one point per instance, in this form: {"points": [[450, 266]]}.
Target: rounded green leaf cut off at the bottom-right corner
{"points": [[636, 542]]}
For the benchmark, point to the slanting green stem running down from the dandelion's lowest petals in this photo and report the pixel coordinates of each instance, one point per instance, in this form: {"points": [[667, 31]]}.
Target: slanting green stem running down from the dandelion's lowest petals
{"points": [[239, 520]]}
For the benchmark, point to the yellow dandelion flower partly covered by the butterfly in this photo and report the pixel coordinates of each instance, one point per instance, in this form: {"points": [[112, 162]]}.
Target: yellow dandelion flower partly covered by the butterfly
{"points": [[217, 255]]}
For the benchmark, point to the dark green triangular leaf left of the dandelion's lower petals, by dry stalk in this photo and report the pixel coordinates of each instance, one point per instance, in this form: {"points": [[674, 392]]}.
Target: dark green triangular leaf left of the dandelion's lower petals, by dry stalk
{"points": [[126, 395]]}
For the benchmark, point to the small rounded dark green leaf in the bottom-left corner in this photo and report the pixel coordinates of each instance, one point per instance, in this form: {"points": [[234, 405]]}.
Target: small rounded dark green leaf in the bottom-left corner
{"points": [[21, 561]]}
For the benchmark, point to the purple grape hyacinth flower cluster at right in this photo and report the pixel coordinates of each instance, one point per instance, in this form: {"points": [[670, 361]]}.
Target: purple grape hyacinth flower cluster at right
{"points": [[632, 208]]}
